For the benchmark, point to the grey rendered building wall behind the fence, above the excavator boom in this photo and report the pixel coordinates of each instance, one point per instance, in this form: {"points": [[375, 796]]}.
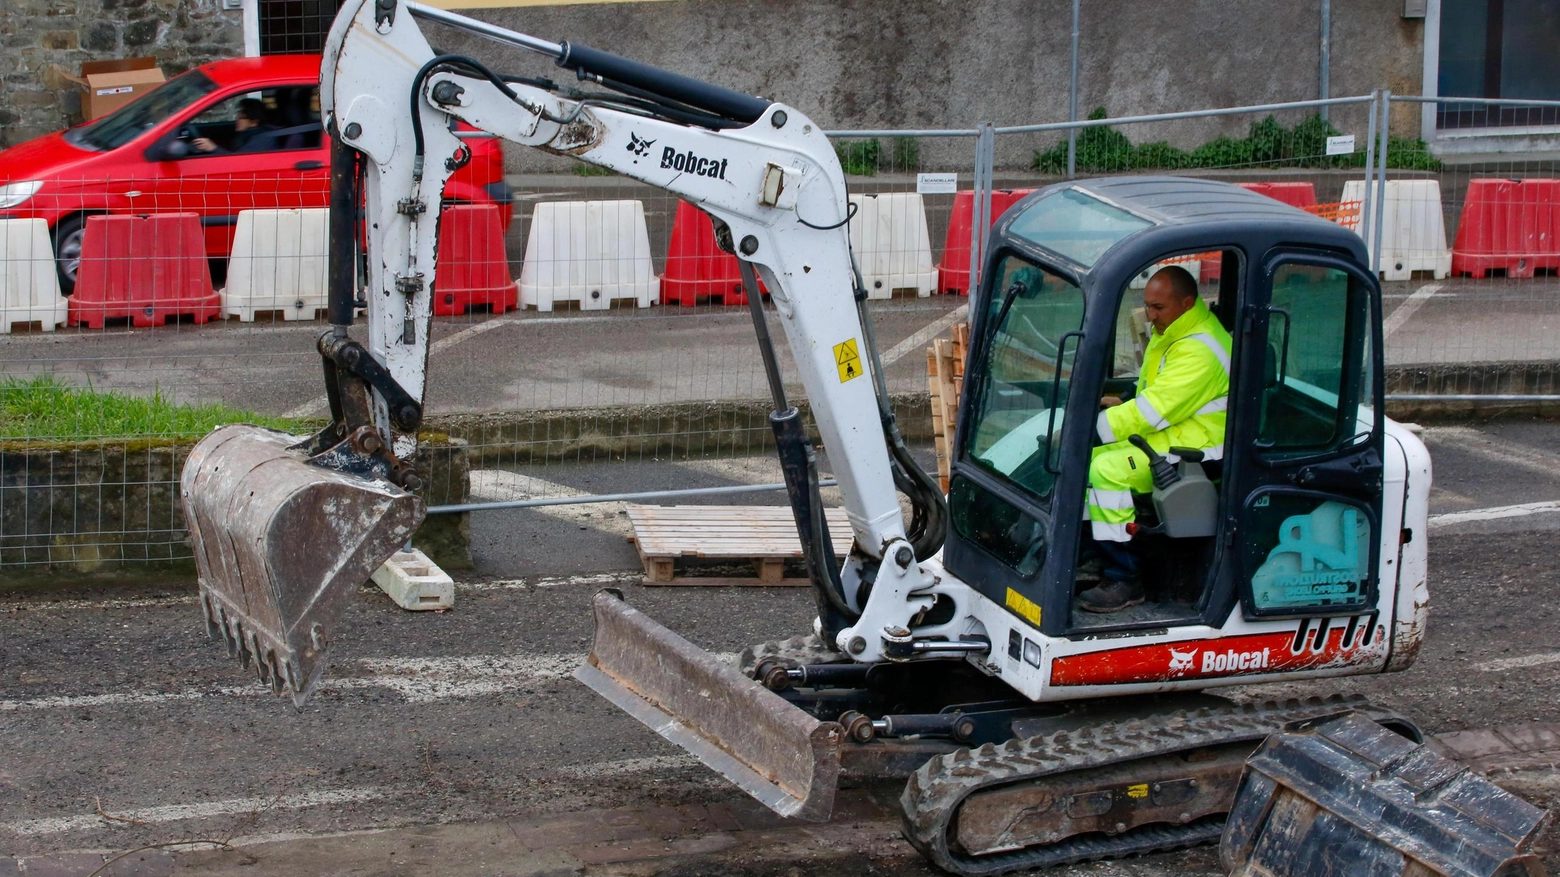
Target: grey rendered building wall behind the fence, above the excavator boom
{"points": [[954, 63]]}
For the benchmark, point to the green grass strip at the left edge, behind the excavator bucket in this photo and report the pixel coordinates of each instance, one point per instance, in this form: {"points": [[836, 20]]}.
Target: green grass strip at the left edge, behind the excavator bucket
{"points": [[43, 408]]}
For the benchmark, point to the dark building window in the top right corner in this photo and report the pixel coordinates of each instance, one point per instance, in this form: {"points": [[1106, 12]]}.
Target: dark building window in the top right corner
{"points": [[1500, 49]]}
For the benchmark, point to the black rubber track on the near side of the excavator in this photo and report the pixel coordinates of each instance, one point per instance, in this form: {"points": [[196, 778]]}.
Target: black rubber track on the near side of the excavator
{"points": [[935, 792]]}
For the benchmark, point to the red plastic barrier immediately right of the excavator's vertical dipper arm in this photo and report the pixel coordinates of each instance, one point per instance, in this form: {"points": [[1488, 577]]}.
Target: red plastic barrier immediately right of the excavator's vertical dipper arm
{"points": [[473, 265]]}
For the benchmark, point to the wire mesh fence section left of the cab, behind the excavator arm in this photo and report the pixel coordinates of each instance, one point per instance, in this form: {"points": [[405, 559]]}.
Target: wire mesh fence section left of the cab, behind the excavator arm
{"points": [[581, 319]]}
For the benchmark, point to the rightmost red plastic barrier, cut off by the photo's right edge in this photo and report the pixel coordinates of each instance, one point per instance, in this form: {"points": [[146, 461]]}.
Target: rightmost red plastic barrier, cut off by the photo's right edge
{"points": [[1511, 225]]}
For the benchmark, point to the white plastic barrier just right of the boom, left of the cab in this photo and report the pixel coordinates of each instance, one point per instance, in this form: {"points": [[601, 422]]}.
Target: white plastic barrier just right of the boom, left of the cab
{"points": [[890, 240]]}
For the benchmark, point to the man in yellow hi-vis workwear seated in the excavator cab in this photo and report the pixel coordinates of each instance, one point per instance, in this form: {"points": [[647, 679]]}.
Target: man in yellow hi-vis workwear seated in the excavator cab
{"points": [[1180, 402]]}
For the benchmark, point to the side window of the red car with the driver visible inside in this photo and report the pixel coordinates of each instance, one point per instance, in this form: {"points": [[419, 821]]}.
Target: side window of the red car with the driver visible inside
{"points": [[266, 121]]}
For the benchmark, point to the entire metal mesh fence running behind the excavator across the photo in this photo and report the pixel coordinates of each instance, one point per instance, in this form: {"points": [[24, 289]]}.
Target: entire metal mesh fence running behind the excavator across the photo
{"points": [[586, 319]]}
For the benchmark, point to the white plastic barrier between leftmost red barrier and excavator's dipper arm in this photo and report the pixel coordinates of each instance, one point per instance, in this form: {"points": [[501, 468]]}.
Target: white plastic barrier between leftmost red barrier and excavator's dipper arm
{"points": [[280, 263]]}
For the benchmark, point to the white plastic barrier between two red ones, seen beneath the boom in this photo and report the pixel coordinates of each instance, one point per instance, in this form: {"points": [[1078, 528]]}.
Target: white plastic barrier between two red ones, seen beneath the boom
{"points": [[589, 252]]}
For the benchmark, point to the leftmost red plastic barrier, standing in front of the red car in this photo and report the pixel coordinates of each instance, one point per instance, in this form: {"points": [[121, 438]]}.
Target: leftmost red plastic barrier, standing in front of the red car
{"points": [[147, 269]]}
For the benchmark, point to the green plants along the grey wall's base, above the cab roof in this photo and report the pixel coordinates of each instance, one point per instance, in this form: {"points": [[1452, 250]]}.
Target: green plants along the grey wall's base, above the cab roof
{"points": [[1267, 144]]}
